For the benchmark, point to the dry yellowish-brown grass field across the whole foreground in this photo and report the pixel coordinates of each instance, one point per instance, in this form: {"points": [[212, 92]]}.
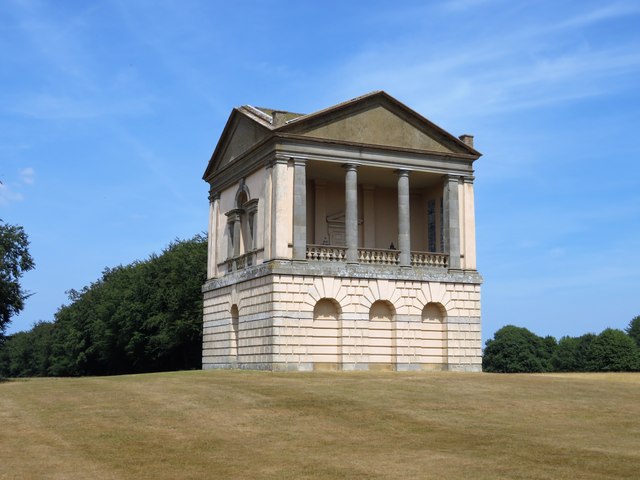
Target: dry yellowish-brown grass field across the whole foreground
{"points": [[255, 425]]}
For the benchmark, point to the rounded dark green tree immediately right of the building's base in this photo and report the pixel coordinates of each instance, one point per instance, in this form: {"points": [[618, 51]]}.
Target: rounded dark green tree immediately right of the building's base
{"points": [[515, 349]]}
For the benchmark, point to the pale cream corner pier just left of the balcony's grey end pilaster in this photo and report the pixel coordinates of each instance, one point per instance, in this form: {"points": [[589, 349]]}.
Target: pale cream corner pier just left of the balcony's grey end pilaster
{"points": [[279, 241]]}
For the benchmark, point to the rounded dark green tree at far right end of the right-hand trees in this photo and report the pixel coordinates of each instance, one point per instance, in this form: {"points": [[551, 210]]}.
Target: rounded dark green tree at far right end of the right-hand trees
{"points": [[613, 351]]}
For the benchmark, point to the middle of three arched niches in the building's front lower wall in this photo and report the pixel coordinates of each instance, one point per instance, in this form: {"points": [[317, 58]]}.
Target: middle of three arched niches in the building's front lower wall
{"points": [[382, 336]]}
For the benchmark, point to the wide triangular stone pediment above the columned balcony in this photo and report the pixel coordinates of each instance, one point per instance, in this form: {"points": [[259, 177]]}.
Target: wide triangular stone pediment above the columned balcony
{"points": [[378, 119]]}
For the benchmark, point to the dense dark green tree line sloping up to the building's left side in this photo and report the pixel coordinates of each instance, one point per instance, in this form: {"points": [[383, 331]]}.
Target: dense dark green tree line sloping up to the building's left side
{"points": [[137, 318]]}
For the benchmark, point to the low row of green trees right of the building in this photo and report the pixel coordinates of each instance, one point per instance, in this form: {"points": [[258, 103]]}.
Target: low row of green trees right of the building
{"points": [[518, 350]]}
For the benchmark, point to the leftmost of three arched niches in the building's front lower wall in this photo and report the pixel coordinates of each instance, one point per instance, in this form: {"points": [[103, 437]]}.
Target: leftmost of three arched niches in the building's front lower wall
{"points": [[326, 351]]}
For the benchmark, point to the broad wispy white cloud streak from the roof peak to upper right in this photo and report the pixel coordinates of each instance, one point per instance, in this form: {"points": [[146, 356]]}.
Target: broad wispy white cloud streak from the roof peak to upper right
{"points": [[526, 64]]}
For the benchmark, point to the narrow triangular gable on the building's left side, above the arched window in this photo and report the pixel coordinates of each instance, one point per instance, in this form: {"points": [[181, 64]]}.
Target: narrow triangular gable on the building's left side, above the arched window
{"points": [[242, 131]]}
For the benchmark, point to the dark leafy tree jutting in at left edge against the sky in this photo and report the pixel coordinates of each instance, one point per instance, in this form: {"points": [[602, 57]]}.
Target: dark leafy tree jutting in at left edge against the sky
{"points": [[14, 261]]}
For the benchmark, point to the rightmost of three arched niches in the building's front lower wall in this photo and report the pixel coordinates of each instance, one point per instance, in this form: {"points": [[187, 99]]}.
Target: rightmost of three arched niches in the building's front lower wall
{"points": [[434, 334]]}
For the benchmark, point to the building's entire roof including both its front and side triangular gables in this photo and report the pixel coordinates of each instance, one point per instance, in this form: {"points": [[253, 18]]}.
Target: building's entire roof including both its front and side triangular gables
{"points": [[375, 119]]}
